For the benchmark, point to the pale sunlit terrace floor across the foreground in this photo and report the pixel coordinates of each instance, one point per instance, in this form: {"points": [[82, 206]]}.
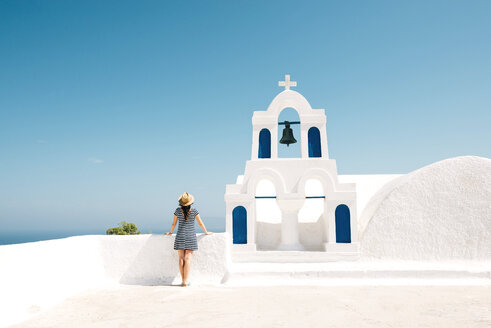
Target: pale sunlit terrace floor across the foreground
{"points": [[272, 306]]}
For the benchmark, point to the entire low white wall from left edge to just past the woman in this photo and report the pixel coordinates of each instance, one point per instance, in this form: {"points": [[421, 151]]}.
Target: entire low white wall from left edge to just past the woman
{"points": [[35, 276]]}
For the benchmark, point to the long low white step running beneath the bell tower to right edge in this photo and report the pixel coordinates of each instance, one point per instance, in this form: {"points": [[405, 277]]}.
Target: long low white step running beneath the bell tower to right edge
{"points": [[355, 273]]}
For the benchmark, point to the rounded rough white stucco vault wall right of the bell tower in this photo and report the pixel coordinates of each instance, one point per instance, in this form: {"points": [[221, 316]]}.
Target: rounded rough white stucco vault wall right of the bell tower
{"points": [[440, 212]]}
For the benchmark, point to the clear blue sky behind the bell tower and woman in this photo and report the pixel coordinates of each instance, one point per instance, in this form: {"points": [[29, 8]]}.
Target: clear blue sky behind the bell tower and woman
{"points": [[111, 109]]}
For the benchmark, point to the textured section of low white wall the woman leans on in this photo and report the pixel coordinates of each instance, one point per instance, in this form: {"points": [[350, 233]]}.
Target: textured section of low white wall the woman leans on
{"points": [[152, 260]]}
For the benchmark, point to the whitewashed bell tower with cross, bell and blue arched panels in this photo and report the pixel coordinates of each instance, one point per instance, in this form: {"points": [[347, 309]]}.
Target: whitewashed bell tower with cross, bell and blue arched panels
{"points": [[291, 204]]}
